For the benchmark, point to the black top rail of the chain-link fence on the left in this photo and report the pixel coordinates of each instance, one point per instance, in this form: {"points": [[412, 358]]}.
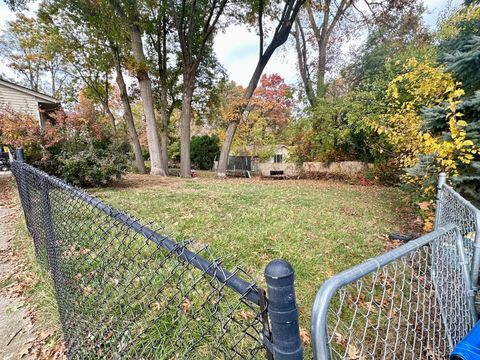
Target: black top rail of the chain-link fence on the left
{"points": [[247, 290]]}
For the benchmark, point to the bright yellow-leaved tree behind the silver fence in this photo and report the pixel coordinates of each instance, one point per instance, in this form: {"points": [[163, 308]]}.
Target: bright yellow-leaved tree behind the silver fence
{"points": [[425, 86]]}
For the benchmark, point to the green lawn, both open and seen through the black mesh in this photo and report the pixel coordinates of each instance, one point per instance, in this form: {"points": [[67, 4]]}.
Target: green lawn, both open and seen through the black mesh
{"points": [[319, 227]]}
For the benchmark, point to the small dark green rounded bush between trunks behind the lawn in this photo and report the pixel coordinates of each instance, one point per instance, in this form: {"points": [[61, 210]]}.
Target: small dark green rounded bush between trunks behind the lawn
{"points": [[203, 150]]}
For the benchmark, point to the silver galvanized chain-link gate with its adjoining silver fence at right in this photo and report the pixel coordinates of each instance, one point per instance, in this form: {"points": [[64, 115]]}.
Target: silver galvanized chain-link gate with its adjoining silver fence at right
{"points": [[414, 302]]}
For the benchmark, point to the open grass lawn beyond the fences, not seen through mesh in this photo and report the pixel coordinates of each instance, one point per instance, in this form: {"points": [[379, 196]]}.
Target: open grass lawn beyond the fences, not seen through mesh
{"points": [[319, 227]]}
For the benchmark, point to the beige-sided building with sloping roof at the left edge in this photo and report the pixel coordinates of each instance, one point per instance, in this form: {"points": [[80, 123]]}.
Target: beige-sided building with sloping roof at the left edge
{"points": [[22, 99]]}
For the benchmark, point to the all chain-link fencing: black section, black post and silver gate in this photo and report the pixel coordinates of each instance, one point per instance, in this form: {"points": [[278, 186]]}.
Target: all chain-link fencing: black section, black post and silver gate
{"points": [[125, 291]]}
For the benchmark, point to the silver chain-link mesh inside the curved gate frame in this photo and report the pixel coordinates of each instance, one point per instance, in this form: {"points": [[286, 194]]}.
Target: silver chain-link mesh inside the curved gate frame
{"points": [[414, 307]]}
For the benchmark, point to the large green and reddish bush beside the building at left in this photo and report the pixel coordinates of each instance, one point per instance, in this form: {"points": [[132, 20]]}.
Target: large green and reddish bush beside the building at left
{"points": [[75, 147]]}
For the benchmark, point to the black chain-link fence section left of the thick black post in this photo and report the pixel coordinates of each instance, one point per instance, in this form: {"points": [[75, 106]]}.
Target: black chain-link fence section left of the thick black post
{"points": [[124, 291]]}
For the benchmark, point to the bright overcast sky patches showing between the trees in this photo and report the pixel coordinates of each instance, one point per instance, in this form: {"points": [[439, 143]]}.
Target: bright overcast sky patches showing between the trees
{"points": [[237, 48]]}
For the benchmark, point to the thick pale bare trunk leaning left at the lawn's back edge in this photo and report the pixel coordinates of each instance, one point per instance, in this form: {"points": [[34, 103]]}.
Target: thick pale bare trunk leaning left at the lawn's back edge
{"points": [[144, 82]]}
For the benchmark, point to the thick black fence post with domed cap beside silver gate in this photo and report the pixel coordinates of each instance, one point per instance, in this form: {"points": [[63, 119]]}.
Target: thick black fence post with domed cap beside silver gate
{"points": [[282, 310]]}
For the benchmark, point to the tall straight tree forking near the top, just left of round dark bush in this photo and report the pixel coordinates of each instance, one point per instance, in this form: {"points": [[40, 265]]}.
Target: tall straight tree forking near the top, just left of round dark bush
{"points": [[195, 22]]}
